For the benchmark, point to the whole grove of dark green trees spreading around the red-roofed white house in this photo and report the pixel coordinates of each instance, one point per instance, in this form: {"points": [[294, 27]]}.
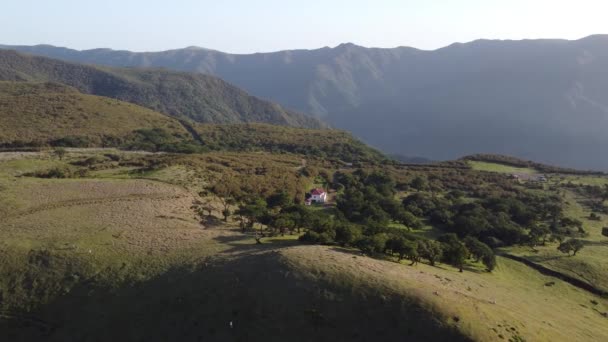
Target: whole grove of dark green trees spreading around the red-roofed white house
{"points": [[368, 216]]}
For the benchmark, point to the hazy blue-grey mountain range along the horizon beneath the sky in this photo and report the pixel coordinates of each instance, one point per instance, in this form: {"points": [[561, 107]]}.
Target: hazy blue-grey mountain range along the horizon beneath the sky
{"points": [[545, 100]]}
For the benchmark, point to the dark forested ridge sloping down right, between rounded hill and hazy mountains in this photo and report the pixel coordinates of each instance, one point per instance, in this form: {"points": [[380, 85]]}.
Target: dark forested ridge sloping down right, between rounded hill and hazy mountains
{"points": [[186, 96]]}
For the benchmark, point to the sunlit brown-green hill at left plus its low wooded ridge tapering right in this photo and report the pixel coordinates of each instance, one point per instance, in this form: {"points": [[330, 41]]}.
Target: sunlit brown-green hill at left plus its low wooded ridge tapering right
{"points": [[50, 114]]}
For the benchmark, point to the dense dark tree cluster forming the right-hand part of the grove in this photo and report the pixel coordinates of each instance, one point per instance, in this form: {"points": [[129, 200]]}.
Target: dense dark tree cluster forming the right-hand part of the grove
{"points": [[498, 219]]}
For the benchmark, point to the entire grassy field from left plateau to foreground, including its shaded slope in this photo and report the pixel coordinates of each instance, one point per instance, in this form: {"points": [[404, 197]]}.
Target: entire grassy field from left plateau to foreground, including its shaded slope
{"points": [[120, 255]]}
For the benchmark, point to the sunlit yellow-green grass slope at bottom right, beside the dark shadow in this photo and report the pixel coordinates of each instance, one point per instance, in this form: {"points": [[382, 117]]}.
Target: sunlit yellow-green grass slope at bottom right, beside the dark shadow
{"points": [[509, 304]]}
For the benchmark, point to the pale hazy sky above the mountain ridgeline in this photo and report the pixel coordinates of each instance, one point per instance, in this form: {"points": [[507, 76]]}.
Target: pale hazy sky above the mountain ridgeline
{"points": [[244, 26]]}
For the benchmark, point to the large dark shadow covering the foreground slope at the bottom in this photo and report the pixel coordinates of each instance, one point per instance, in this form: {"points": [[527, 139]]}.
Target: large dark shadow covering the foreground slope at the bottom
{"points": [[252, 298]]}
